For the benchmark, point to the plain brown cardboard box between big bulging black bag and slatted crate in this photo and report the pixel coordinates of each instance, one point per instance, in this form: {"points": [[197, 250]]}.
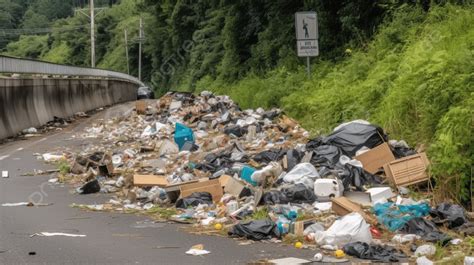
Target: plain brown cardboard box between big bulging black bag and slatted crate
{"points": [[375, 158]]}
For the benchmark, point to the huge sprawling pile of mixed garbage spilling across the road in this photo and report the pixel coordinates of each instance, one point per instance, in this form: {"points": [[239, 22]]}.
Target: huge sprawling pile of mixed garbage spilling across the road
{"points": [[257, 174]]}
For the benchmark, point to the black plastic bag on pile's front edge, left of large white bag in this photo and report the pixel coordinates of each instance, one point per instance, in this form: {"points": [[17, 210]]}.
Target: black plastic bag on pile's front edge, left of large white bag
{"points": [[255, 230]]}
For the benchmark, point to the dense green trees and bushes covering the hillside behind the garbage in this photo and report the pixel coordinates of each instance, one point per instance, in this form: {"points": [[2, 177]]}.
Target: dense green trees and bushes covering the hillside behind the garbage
{"points": [[405, 65]]}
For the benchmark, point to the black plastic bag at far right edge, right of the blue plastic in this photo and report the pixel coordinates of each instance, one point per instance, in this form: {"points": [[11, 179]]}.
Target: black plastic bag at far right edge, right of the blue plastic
{"points": [[453, 214]]}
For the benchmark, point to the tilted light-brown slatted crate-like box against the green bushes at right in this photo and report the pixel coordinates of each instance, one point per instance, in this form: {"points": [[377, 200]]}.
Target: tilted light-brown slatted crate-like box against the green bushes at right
{"points": [[408, 170]]}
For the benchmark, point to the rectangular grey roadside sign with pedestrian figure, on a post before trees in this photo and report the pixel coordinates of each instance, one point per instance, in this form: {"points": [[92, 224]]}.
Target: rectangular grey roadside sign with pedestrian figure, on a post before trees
{"points": [[306, 25]]}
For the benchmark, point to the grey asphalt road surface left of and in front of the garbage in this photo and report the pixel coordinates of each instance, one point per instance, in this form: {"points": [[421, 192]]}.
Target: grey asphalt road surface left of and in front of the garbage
{"points": [[110, 238]]}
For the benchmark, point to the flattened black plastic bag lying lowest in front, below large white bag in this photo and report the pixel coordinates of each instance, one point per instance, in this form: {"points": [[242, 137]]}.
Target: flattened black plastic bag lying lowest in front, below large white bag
{"points": [[373, 252]]}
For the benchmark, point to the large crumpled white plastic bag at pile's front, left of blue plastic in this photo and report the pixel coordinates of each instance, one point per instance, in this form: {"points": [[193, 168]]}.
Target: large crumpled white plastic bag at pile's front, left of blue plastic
{"points": [[350, 228]]}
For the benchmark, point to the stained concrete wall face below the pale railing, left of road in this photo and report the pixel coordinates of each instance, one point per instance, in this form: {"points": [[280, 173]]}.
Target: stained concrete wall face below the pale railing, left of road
{"points": [[26, 103]]}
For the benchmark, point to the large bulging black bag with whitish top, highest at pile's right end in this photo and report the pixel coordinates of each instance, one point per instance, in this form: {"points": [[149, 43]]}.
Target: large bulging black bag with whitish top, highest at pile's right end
{"points": [[354, 136]]}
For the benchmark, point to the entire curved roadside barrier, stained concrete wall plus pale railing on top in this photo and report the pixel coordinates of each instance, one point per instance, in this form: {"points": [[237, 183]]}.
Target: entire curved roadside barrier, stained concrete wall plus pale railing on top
{"points": [[34, 92]]}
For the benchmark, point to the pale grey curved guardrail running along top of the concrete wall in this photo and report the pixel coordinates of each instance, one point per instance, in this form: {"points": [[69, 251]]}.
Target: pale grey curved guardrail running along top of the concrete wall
{"points": [[29, 66]]}
